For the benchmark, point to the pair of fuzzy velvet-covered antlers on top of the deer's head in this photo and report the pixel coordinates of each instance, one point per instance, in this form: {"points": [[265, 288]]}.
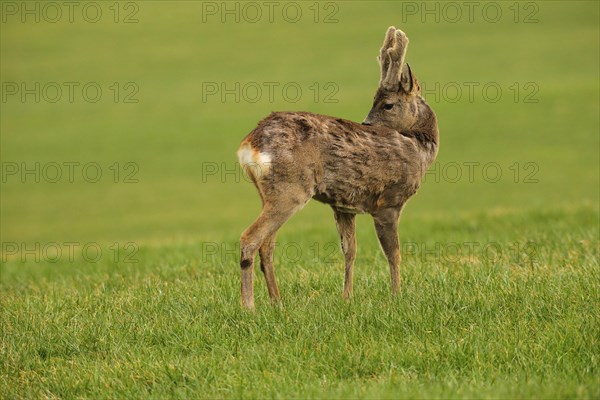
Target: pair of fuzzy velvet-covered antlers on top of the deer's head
{"points": [[392, 58]]}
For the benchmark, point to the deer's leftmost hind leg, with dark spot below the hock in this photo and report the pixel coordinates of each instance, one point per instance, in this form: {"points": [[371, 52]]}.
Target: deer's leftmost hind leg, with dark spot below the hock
{"points": [[273, 215]]}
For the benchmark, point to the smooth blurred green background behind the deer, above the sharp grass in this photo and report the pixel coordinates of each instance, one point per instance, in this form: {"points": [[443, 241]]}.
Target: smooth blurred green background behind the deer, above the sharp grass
{"points": [[175, 136]]}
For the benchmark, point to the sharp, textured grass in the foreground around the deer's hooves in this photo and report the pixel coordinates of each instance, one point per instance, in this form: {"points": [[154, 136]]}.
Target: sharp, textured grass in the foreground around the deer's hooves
{"points": [[520, 323]]}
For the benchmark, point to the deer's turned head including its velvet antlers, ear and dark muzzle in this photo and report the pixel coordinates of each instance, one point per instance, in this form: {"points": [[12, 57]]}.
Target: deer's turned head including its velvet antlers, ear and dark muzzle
{"points": [[397, 100]]}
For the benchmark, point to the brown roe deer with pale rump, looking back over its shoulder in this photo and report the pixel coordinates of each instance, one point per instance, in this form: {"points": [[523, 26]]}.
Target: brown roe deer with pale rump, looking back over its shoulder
{"points": [[373, 167]]}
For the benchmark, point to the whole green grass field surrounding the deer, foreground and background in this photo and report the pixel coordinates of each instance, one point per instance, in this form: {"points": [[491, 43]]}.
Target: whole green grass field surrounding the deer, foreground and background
{"points": [[125, 284]]}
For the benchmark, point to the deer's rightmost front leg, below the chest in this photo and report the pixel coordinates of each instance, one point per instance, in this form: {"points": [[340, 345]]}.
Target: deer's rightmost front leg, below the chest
{"points": [[386, 225]]}
